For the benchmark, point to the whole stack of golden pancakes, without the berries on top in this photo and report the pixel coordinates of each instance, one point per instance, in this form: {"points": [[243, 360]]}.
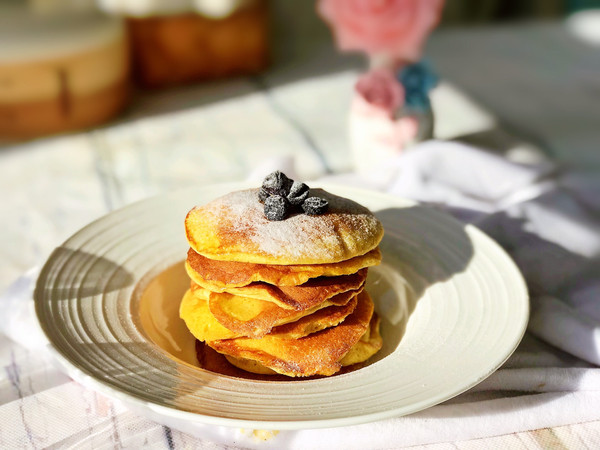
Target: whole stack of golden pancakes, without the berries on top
{"points": [[284, 296]]}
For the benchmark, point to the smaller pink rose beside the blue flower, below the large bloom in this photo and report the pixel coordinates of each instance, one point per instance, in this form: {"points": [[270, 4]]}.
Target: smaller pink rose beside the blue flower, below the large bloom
{"points": [[381, 91]]}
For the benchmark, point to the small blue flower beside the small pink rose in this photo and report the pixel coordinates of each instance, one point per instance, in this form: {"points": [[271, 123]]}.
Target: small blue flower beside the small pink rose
{"points": [[418, 79]]}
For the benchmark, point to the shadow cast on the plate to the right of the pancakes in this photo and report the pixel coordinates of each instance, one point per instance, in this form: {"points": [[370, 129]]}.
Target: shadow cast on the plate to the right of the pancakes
{"points": [[415, 257]]}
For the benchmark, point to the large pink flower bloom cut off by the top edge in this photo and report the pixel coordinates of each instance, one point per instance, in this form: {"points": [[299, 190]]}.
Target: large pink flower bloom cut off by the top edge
{"points": [[394, 28]]}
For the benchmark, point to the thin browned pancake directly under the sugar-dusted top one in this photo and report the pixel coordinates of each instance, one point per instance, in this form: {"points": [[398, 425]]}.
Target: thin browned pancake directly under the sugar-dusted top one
{"points": [[218, 276]]}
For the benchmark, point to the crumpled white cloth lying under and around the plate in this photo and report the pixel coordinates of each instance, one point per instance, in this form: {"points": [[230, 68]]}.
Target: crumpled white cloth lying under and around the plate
{"points": [[545, 219]]}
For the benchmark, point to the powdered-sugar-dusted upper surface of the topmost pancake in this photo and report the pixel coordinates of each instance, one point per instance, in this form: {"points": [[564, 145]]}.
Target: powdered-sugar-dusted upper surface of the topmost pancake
{"points": [[345, 229]]}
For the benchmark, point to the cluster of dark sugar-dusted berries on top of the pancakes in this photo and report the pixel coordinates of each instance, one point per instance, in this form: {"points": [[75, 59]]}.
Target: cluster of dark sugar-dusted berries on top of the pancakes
{"points": [[282, 196]]}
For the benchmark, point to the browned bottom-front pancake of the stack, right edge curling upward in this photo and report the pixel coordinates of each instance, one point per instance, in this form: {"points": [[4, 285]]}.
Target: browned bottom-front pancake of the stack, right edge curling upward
{"points": [[316, 354]]}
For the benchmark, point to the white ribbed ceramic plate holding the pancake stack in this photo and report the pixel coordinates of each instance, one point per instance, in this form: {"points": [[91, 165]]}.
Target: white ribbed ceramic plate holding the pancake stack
{"points": [[454, 307]]}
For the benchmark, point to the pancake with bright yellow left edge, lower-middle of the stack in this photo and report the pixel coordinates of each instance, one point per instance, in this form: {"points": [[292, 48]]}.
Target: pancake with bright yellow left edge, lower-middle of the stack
{"points": [[211, 316]]}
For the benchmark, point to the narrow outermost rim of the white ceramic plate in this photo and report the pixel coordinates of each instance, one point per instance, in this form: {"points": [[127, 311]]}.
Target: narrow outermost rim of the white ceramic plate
{"points": [[89, 380]]}
